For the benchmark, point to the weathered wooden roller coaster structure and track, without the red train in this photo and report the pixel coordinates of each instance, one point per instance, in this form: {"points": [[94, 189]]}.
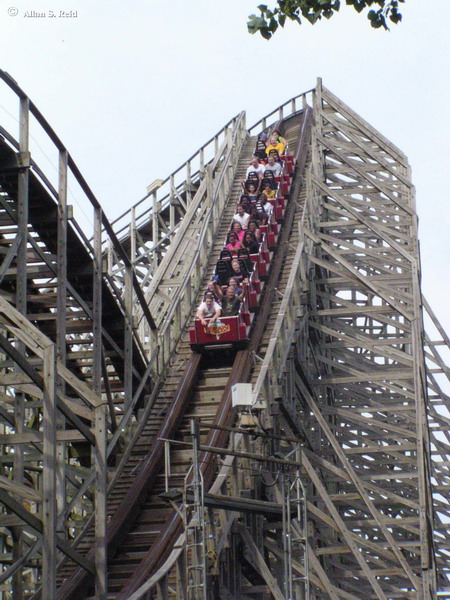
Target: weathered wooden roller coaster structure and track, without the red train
{"points": [[131, 468]]}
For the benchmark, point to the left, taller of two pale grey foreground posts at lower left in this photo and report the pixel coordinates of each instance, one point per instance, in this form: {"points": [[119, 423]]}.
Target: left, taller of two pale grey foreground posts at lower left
{"points": [[49, 475]]}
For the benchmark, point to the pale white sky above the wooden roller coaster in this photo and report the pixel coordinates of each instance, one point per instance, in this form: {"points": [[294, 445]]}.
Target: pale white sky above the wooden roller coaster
{"points": [[134, 89]]}
